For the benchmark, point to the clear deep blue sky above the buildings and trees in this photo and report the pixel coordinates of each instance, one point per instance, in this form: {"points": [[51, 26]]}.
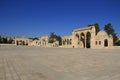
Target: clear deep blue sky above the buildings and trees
{"points": [[30, 18]]}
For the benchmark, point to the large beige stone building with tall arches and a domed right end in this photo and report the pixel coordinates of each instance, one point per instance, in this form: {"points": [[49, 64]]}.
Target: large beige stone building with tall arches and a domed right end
{"points": [[87, 38]]}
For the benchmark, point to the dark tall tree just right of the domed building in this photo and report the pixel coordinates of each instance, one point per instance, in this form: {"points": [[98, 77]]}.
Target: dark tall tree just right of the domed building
{"points": [[110, 30]]}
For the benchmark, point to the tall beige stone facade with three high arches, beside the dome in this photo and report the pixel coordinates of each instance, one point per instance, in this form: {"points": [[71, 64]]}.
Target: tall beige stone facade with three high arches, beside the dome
{"points": [[82, 37]]}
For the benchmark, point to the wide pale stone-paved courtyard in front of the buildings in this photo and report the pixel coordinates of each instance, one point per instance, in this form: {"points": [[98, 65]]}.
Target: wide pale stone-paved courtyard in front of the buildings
{"points": [[35, 63]]}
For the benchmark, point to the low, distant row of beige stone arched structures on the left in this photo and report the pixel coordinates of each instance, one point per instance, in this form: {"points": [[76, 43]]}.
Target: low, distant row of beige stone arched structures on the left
{"points": [[42, 42]]}
